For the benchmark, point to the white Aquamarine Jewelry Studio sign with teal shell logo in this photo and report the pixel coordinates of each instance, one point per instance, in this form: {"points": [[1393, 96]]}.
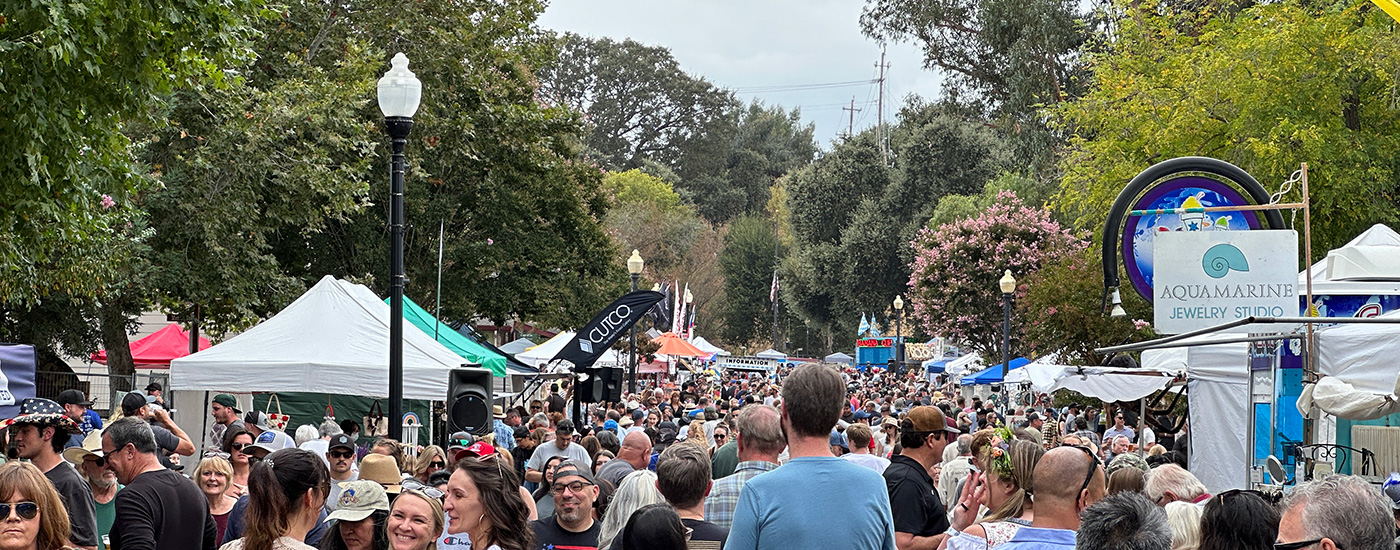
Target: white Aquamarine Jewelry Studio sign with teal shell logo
{"points": [[1212, 278]]}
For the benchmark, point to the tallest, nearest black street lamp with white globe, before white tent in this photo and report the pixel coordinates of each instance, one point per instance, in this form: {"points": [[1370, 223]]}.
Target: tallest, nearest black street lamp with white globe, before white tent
{"points": [[400, 97]]}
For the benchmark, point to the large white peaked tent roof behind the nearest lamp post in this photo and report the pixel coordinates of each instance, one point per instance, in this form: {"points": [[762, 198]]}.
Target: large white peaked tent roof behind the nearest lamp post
{"points": [[334, 339]]}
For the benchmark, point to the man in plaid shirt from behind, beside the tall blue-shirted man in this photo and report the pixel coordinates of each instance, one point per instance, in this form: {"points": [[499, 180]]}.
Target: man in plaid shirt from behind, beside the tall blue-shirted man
{"points": [[759, 442]]}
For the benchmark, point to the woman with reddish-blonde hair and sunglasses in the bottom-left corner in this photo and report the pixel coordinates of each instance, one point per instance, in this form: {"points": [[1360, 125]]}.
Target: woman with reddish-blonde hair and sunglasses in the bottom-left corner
{"points": [[31, 512]]}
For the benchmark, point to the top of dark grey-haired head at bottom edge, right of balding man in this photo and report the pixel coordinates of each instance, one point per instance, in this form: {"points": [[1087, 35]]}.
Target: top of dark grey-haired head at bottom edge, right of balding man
{"points": [[1123, 521]]}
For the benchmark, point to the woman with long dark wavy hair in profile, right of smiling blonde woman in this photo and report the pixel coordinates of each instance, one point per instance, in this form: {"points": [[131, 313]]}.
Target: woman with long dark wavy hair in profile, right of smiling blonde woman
{"points": [[482, 503]]}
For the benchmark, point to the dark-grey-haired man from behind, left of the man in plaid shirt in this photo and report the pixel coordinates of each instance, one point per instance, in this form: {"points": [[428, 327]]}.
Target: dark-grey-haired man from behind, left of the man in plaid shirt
{"points": [[684, 478]]}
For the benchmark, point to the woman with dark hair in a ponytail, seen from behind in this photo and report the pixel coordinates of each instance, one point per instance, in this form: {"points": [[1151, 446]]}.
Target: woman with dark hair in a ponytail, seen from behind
{"points": [[286, 492]]}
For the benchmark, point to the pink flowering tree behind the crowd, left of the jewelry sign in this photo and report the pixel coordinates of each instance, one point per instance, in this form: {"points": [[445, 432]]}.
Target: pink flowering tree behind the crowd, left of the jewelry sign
{"points": [[957, 267]]}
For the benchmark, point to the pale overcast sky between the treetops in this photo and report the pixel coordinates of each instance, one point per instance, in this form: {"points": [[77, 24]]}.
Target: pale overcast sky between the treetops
{"points": [[747, 45]]}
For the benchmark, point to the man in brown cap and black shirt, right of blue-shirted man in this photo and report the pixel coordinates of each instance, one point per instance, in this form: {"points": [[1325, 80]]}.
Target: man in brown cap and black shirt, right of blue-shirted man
{"points": [[920, 519]]}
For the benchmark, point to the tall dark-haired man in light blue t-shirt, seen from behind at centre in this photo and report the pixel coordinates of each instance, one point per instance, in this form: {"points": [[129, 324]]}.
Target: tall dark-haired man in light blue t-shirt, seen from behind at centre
{"points": [[778, 510]]}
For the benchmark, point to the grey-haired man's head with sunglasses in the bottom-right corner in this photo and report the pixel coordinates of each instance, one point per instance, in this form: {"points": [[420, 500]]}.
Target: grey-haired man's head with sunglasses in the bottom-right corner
{"points": [[1336, 513]]}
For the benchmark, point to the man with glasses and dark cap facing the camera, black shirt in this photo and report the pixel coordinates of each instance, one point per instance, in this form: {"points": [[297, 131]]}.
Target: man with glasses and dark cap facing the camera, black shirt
{"points": [[573, 526]]}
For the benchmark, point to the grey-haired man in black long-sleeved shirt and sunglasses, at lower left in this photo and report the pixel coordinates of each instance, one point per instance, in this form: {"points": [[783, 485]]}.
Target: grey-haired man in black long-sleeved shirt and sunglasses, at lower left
{"points": [[157, 510]]}
